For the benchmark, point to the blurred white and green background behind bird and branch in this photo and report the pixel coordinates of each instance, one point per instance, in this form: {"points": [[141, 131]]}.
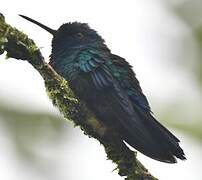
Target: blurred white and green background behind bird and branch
{"points": [[161, 39]]}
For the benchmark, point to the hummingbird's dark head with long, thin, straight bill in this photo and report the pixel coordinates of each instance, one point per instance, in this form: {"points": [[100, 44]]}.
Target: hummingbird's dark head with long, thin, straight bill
{"points": [[71, 35]]}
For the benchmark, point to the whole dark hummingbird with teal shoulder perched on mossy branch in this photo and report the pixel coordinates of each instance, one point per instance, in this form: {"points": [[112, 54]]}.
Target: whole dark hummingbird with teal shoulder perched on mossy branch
{"points": [[108, 85]]}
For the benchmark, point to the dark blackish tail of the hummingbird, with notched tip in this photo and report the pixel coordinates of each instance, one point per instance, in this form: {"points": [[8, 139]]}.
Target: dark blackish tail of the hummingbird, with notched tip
{"points": [[158, 142]]}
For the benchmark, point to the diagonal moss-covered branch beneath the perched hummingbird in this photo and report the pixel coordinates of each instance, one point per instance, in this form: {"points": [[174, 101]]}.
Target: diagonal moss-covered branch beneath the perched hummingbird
{"points": [[17, 45]]}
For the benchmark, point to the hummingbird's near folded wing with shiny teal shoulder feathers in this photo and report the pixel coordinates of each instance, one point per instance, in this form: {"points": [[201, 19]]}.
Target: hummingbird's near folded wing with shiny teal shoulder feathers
{"points": [[101, 71]]}
